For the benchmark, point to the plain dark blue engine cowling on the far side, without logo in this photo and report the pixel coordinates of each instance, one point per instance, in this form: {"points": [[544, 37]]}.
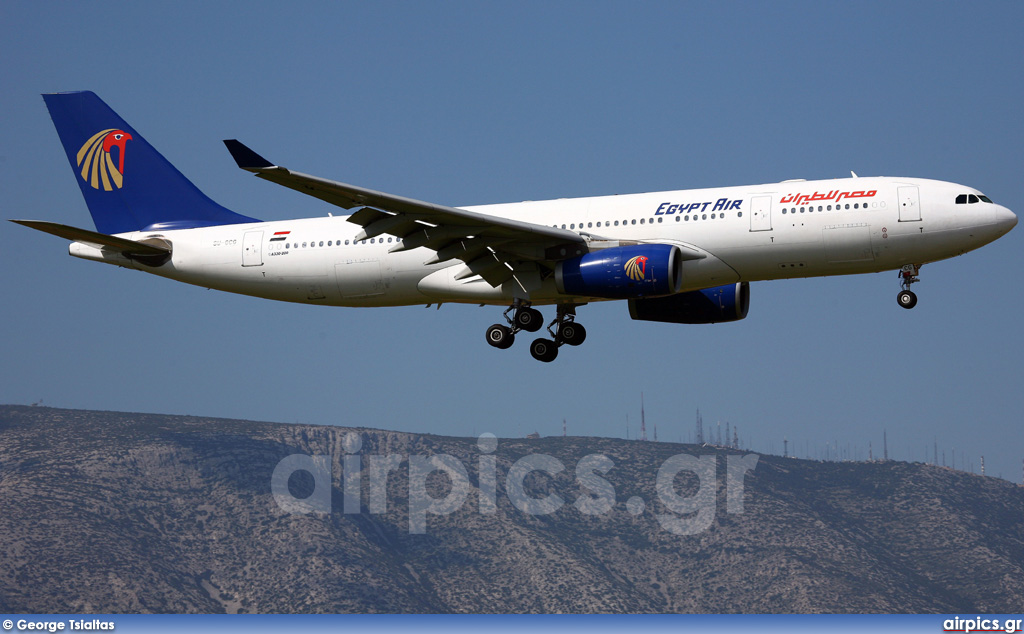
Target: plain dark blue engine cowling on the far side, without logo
{"points": [[722, 304]]}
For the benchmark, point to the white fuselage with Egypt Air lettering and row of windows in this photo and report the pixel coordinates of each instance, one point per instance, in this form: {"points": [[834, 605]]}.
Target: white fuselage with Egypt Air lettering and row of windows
{"points": [[746, 234]]}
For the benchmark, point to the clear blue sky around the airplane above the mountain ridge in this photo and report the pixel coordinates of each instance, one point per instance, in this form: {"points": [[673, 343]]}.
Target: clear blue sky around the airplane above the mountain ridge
{"points": [[465, 104]]}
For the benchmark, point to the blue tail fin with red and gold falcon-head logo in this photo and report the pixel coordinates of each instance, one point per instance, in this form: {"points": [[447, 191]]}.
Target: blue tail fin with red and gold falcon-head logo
{"points": [[127, 185]]}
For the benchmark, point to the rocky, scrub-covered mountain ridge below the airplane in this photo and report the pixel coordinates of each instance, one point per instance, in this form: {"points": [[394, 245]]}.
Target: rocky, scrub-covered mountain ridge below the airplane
{"points": [[119, 513]]}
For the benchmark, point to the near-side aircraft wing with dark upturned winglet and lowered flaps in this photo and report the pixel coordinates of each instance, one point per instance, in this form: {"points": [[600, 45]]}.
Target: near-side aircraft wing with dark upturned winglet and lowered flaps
{"points": [[497, 249]]}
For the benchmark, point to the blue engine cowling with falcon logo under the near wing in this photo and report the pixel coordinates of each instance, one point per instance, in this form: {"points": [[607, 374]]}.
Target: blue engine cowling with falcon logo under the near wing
{"points": [[623, 273]]}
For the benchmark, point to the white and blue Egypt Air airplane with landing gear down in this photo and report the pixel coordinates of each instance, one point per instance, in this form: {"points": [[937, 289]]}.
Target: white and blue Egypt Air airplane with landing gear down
{"points": [[680, 258]]}
